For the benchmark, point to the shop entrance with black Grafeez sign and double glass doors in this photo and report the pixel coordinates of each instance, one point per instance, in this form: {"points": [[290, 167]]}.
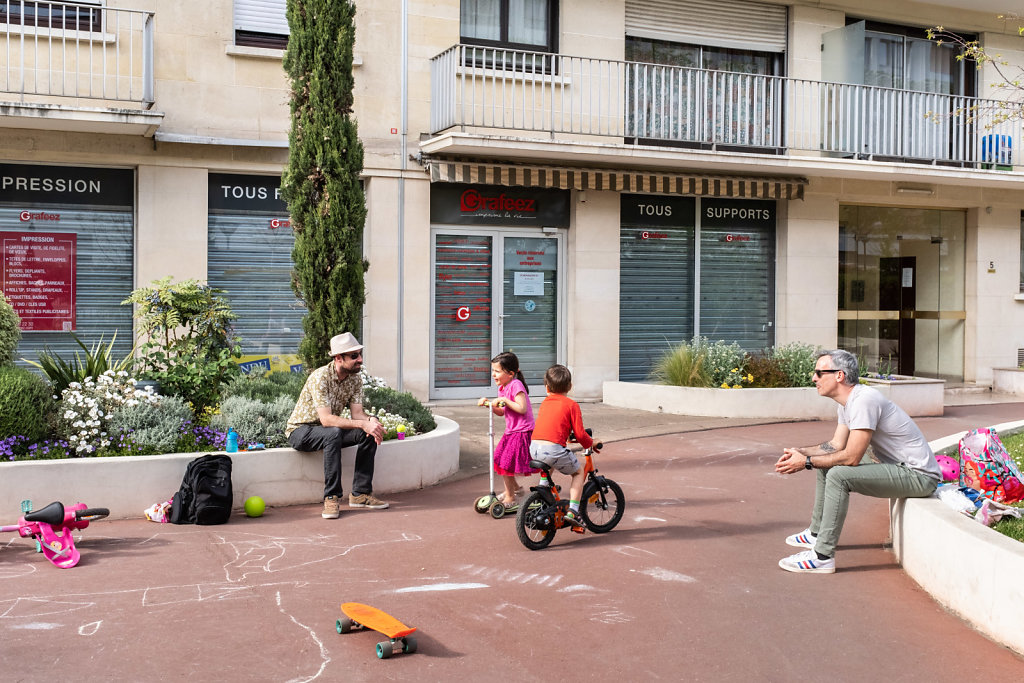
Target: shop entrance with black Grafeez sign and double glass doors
{"points": [[498, 284]]}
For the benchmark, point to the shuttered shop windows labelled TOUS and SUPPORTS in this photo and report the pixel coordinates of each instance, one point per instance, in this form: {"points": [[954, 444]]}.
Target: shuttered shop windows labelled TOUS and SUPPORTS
{"points": [[693, 267]]}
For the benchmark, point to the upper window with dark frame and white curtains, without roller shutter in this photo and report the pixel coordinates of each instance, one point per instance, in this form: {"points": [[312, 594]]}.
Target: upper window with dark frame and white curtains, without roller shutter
{"points": [[526, 25]]}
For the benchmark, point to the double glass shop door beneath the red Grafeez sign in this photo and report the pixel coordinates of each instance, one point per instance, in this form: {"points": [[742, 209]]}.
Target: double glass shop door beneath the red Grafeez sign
{"points": [[494, 290]]}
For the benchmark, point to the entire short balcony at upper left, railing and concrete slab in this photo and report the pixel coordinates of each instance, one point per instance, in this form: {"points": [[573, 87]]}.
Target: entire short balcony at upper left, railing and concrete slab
{"points": [[77, 67]]}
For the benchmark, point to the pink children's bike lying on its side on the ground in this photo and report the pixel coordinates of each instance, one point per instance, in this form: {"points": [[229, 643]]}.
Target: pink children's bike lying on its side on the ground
{"points": [[53, 527]]}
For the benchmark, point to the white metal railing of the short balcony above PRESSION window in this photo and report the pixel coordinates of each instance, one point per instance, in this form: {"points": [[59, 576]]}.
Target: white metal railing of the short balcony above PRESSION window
{"points": [[64, 50]]}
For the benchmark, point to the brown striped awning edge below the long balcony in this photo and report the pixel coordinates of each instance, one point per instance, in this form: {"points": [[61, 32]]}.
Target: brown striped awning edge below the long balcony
{"points": [[620, 181]]}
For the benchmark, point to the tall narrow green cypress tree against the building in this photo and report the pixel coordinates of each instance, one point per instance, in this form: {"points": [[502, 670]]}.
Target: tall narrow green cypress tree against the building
{"points": [[322, 181]]}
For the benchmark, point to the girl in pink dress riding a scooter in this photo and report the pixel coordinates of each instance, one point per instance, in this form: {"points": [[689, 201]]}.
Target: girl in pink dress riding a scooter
{"points": [[513, 453]]}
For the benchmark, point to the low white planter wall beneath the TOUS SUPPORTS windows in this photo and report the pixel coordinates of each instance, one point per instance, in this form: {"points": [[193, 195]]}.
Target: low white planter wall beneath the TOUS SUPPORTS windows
{"points": [[790, 404]]}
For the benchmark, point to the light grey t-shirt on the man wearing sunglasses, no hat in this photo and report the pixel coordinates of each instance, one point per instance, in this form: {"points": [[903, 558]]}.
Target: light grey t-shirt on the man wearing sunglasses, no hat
{"points": [[897, 439]]}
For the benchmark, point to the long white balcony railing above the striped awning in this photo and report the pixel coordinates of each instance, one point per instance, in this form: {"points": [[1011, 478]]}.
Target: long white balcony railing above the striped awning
{"points": [[657, 105]]}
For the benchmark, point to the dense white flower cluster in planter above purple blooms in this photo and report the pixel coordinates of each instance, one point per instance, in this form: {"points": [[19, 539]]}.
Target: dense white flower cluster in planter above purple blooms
{"points": [[88, 407]]}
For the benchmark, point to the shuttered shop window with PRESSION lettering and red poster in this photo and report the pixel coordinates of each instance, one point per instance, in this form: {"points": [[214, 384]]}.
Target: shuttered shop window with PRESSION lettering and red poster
{"points": [[68, 239]]}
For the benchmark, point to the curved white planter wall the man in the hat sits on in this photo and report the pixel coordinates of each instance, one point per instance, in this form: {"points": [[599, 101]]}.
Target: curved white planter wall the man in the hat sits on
{"points": [[280, 477]]}
